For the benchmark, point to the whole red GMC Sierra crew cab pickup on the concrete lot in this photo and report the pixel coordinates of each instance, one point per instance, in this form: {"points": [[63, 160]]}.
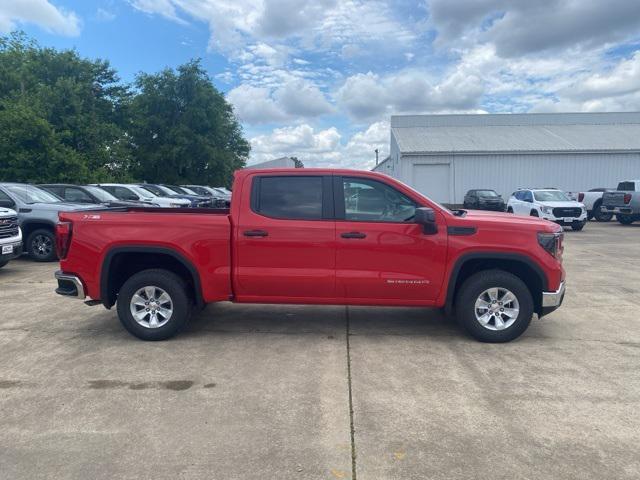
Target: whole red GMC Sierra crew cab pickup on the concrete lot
{"points": [[313, 236]]}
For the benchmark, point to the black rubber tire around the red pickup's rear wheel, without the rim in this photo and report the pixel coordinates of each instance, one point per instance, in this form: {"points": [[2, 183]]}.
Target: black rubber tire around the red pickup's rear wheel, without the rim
{"points": [[180, 303]]}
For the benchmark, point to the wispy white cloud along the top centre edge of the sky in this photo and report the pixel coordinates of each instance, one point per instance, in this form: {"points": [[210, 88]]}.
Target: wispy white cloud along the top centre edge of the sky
{"points": [[311, 24]]}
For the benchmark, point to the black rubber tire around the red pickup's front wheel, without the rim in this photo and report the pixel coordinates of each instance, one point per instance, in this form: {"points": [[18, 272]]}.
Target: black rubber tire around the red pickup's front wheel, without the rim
{"points": [[471, 290]]}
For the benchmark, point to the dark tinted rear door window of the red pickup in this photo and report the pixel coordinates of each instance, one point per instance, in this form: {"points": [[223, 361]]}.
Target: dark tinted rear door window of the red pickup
{"points": [[289, 197]]}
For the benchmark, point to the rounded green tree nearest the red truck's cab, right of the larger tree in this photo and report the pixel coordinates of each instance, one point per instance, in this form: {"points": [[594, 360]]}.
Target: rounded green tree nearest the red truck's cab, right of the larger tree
{"points": [[183, 130]]}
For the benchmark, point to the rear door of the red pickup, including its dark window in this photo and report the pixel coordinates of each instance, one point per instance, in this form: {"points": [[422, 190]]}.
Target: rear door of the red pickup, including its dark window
{"points": [[285, 240]]}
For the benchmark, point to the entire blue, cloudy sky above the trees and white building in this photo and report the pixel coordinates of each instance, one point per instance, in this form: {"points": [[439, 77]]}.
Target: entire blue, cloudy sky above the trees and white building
{"points": [[319, 79]]}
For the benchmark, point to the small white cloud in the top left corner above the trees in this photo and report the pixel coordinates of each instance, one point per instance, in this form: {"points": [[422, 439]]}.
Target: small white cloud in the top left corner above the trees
{"points": [[38, 12]]}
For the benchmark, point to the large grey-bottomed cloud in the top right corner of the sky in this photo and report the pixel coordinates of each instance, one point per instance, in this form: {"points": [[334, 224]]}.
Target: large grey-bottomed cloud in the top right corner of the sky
{"points": [[523, 27]]}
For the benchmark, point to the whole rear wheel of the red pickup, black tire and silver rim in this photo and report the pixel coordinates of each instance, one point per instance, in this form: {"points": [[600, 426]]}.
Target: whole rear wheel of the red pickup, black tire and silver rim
{"points": [[154, 305]]}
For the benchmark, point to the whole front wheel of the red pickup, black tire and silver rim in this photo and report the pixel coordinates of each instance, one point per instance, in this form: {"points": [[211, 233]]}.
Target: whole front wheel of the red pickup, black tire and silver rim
{"points": [[494, 306]]}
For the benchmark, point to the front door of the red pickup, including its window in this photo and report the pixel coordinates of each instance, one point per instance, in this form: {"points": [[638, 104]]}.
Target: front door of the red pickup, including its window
{"points": [[382, 256]]}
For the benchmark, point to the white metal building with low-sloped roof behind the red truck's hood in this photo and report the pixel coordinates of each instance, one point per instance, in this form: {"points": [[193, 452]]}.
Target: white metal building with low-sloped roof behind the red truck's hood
{"points": [[443, 156]]}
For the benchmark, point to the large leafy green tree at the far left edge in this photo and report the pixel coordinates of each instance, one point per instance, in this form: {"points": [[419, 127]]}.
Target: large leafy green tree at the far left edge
{"points": [[60, 115]]}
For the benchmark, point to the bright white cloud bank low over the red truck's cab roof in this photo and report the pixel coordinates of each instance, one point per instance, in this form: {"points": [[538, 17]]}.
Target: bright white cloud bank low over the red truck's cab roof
{"points": [[323, 148]]}
